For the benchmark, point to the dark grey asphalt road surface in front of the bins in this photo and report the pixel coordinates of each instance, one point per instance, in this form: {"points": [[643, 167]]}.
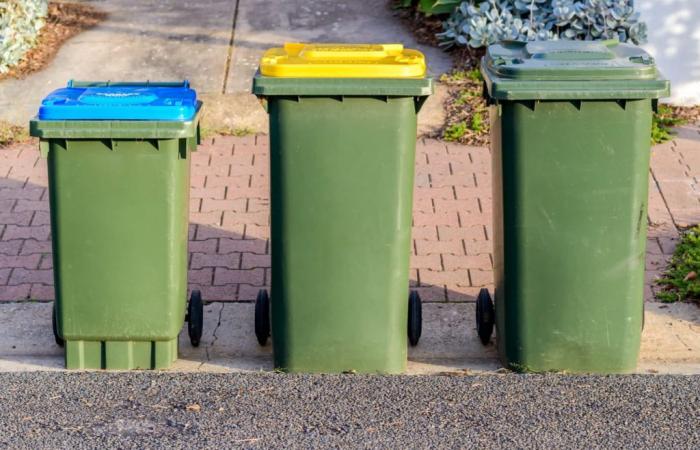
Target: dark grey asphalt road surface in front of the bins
{"points": [[167, 410]]}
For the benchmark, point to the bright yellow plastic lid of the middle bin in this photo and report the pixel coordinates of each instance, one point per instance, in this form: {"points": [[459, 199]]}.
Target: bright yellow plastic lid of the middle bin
{"points": [[298, 60]]}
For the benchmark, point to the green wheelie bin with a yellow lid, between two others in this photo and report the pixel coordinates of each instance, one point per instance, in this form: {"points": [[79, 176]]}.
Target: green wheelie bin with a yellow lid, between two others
{"points": [[342, 151]]}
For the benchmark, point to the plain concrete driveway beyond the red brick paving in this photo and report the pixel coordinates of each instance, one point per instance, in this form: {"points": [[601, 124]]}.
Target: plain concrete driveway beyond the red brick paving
{"points": [[216, 44]]}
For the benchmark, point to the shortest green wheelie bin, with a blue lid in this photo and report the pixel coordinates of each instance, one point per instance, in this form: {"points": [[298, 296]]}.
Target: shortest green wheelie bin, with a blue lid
{"points": [[119, 177]]}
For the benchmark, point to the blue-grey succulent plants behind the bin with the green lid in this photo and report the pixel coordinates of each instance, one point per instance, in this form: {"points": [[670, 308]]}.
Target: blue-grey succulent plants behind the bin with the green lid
{"points": [[480, 23]]}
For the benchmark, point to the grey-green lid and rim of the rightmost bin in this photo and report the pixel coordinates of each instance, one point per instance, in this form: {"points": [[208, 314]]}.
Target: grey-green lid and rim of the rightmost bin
{"points": [[549, 70]]}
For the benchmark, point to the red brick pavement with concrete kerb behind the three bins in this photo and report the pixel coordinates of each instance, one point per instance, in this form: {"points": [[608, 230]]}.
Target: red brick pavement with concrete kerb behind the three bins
{"points": [[230, 261]]}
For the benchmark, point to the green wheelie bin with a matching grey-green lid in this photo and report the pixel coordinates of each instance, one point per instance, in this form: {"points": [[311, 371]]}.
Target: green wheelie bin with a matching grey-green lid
{"points": [[570, 141]]}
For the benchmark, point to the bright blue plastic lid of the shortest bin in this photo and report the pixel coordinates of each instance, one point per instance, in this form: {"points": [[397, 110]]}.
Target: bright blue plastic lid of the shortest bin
{"points": [[120, 101]]}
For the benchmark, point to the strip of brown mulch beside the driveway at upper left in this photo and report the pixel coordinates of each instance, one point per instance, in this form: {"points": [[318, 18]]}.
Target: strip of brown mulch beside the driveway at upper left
{"points": [[64, 21]]}
